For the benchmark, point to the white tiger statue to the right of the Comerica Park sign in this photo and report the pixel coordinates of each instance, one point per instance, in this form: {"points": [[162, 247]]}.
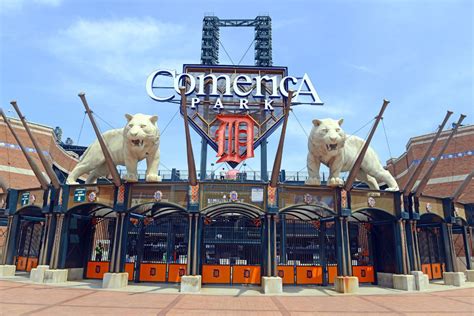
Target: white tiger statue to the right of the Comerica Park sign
{"points": [[328, 144]]}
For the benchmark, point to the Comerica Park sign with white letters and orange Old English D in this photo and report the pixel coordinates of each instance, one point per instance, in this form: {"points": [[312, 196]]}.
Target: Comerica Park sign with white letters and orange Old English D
{"points": [[234, 108]]}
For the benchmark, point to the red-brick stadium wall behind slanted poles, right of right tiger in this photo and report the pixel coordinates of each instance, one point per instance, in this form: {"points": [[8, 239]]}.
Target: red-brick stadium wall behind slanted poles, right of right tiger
{"points": [[457, 162]]}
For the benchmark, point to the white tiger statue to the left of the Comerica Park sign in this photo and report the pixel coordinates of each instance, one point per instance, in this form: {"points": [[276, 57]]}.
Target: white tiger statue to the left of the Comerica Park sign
{"points": [[139, 139]]}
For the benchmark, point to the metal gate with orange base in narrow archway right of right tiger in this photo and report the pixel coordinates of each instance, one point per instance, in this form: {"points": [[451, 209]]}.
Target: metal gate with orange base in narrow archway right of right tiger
{"points": [[432, 254]]}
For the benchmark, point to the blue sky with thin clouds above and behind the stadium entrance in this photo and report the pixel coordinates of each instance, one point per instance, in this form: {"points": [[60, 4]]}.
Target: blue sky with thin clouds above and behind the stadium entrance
{"points": [[417, 54]]}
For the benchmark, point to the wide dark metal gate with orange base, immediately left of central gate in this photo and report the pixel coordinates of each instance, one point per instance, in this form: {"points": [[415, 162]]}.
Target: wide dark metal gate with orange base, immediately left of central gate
{"points": [[157, 248]]}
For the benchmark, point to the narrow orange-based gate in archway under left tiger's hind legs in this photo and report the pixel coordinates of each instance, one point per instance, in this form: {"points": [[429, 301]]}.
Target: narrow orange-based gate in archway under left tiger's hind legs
{"points": [[100, 246]]}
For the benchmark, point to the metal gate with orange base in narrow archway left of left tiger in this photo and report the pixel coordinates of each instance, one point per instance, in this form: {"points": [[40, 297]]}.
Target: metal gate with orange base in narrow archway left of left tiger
{"points": [[29, 244]]}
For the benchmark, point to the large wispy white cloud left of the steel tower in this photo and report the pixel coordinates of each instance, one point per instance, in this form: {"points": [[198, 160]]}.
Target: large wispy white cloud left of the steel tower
{"points": [[124, 49]]}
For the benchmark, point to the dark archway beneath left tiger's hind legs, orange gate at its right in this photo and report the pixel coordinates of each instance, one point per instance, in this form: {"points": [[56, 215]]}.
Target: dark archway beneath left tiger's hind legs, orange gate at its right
{"points": [[90, 232]]}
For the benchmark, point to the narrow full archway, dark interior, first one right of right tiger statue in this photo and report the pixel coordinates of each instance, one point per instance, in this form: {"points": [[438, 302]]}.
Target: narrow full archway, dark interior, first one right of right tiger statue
{"points": [[430, 241]]}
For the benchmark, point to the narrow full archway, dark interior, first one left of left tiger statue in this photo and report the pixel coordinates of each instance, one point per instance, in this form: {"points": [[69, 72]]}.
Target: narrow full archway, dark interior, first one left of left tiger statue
{"points": [[29, 239]]}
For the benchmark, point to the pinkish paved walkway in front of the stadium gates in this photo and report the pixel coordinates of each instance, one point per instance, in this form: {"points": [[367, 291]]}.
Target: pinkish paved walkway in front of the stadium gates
{"points": [[21, 298]]}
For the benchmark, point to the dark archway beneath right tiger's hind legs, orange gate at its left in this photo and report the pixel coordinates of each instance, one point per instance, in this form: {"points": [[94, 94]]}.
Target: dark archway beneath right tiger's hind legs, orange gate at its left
{"points": [[372, 243]]}
